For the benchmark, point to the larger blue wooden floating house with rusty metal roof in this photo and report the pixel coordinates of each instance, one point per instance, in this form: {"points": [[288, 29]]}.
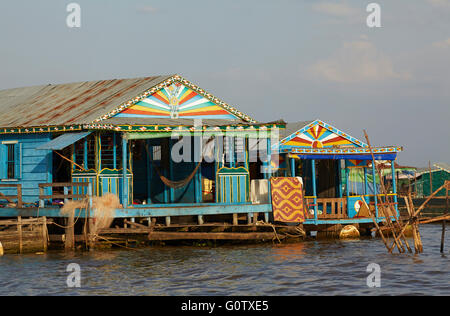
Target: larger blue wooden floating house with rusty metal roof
{"points": [[119, 136]]}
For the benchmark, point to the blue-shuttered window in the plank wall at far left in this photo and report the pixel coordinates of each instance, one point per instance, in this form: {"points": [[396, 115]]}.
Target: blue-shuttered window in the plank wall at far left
{"points": [[10, 160]]}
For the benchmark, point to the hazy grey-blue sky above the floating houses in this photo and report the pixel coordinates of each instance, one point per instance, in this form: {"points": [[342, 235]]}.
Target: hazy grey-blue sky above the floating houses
{"points": [[295, 60]]}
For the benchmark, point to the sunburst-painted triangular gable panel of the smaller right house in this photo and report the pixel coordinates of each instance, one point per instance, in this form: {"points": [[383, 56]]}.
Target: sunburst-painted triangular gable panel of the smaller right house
{"points": [[321, 135]]}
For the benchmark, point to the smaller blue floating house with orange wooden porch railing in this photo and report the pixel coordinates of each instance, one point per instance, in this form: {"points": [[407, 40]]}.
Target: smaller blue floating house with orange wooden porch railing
{"points": [[326, 157]]}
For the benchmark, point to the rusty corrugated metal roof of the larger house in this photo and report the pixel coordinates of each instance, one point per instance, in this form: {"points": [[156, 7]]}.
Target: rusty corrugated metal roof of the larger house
{"points": [[69, 104]]}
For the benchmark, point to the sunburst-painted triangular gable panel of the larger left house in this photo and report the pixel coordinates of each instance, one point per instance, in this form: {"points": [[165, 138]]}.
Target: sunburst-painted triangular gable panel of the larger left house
{"points": [[176, 101]]}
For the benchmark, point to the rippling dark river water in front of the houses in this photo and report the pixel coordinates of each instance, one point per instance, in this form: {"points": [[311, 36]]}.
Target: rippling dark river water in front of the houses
{"points": [[307, 268]]}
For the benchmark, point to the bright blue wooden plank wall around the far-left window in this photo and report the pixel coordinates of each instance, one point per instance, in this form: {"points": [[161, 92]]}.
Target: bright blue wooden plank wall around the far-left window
{"points": [[36, 165]]}
